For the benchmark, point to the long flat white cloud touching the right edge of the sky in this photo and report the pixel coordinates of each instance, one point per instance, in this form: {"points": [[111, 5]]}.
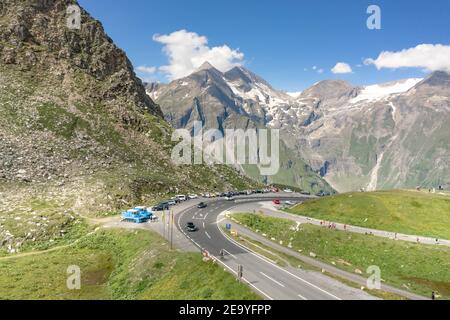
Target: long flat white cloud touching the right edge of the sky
{"points": [[432, 57]]}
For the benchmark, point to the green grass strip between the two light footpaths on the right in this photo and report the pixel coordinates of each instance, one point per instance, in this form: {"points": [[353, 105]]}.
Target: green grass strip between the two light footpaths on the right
{"points": [[418, 267]]}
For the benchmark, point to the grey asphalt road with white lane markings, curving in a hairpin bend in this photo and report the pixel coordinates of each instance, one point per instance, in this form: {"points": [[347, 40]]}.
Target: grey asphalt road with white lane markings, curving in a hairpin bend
{"points": [[270, 280]]}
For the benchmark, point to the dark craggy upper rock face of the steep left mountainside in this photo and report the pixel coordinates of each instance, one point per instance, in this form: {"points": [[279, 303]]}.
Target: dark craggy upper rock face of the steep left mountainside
{"points": [[35, 34]]}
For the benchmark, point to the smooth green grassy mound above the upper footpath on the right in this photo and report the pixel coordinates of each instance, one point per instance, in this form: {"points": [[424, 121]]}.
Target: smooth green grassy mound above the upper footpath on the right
{"points": [[416, 213]]}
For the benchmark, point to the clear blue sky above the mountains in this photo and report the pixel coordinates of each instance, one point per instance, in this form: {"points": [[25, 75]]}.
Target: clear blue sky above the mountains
{"points": [[282, 40]]}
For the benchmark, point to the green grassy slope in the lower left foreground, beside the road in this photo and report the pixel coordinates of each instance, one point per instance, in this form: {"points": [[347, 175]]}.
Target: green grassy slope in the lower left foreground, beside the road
{"points": [[118, 264]]}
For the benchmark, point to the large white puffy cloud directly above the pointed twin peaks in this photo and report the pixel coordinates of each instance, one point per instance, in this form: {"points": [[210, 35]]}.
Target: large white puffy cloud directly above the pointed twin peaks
{"points": [[187, 51]]}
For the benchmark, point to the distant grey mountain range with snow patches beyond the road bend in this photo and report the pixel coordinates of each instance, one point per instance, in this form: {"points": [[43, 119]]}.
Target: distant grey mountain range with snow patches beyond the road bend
{"points": [[334, 135]]}
